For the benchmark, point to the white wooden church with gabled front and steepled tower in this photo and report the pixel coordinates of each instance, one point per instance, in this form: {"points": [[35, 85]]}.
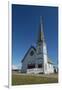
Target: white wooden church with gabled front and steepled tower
{"points": [[36, 60]]}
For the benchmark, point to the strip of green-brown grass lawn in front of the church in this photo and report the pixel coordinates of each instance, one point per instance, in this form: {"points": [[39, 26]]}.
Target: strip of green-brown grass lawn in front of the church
{"points": [[29, 79]]}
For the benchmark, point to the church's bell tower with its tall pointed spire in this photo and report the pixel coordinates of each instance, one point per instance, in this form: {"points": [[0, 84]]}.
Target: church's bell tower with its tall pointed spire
{"points": [[41, 49]]}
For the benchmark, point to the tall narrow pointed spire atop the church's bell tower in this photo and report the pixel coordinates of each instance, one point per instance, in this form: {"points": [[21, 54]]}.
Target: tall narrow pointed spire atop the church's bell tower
{"points": [[41, 34]]}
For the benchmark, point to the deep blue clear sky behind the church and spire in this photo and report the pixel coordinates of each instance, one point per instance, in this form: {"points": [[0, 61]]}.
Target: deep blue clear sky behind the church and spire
{"points": [[25, 26]]}
